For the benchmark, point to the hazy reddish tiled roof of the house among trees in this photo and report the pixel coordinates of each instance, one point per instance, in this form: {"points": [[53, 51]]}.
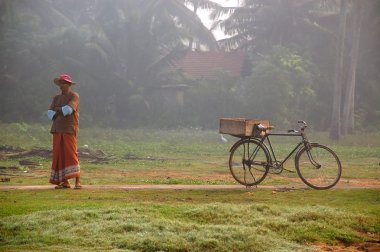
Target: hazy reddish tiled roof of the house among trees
{"points": [[205, 65]]}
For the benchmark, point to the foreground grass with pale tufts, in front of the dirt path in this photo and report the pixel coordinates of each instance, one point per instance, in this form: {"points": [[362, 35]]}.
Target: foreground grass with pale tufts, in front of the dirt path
{"points": [[224, 220]]}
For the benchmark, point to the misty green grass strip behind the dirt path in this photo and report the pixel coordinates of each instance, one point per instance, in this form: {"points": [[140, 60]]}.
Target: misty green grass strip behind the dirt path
{"points": [[183, 156]]}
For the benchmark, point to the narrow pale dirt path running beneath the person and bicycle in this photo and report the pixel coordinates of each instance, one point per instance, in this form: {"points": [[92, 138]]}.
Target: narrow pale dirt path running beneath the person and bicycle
{"points": [[182, 187]]}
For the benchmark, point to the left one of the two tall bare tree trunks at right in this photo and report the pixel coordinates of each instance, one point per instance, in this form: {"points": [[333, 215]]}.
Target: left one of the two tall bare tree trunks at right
{"points": [[337, 95]]}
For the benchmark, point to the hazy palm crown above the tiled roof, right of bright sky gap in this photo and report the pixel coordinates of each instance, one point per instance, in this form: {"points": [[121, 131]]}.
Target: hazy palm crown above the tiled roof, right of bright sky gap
{"points": [[260, 24]]}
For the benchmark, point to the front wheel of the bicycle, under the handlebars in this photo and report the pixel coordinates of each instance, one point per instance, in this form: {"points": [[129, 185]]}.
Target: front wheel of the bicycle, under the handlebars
{"points": [[318, 167]]}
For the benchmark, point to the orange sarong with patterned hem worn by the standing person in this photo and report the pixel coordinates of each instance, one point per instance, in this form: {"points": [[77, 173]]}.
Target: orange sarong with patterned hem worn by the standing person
{"points": [[65, 163]]}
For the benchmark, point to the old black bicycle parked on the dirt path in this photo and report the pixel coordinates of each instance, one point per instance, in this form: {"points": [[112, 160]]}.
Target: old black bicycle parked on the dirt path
{"points": [[250, 160]]}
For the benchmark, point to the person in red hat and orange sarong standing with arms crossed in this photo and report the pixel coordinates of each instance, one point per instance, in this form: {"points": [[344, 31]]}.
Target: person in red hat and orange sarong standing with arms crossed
{"points": [[64, 112]]}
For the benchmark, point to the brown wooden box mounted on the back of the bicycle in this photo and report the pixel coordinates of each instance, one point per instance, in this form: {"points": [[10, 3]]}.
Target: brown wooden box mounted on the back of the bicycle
{"points": [[241, 127]]}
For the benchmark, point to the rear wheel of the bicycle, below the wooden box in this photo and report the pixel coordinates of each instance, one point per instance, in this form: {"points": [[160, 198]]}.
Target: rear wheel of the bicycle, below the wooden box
{"points": [[249, 162]]}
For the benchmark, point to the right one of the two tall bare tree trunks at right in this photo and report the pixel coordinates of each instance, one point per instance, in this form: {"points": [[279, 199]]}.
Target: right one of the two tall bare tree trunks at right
{"points": [[348, 119]]}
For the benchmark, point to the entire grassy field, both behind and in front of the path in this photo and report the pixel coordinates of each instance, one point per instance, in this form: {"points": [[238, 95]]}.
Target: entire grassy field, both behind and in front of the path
{"points": [[182, 220]]}
